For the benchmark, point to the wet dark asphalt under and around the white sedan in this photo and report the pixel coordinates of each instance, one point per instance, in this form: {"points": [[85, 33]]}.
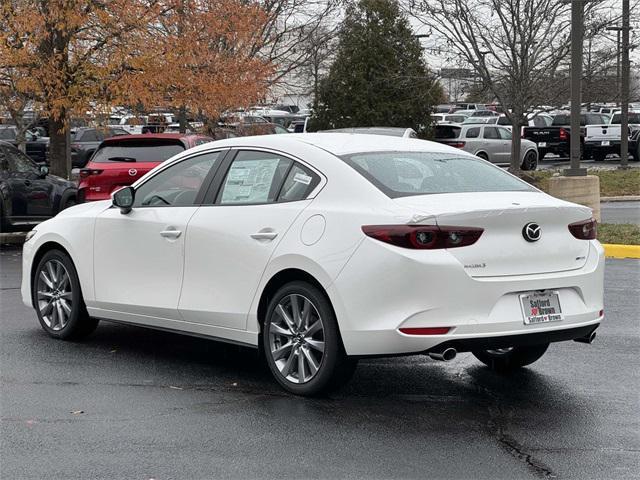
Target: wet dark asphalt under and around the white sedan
{"points": [[139, 404]]}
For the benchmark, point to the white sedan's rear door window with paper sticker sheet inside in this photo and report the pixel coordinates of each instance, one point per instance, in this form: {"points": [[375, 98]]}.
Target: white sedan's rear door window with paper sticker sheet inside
{"points": [[254, 177]]}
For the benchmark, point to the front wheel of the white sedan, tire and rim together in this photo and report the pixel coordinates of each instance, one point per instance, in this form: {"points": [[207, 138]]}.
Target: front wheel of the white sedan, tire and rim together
{"points": [[58, 299]]}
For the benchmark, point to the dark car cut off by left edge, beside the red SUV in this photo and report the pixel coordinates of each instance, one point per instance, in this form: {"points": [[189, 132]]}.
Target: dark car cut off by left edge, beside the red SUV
{"points": [[28, 194]]}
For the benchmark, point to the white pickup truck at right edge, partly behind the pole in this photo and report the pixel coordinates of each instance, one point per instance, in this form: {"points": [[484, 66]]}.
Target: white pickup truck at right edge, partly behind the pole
{"points": [[601, 140]]}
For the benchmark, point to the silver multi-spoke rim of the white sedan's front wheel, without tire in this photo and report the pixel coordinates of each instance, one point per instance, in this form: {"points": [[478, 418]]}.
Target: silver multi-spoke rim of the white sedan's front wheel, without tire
{"points": [[54, 295]]}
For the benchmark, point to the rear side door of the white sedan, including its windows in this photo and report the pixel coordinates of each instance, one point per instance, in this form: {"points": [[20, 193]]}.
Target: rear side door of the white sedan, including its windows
{"points": [[230, 240]]}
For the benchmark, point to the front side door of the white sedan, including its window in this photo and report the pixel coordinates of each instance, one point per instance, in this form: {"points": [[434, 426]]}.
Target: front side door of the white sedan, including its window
{"points": [[138, 257]]}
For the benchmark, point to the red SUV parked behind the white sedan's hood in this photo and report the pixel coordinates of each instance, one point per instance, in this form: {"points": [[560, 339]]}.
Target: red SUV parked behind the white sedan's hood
{"points": [[121, 160]]}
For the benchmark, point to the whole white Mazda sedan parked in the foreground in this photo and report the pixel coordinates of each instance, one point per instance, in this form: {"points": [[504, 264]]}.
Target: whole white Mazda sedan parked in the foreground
{"points": [[324, 248]]}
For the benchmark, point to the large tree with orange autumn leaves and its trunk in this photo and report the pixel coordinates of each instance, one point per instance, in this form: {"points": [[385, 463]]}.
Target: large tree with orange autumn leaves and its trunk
{"points": [[71, 56]]}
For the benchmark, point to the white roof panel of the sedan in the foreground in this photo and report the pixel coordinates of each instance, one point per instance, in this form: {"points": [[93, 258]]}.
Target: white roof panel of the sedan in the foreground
{"points": [[335, 143]]}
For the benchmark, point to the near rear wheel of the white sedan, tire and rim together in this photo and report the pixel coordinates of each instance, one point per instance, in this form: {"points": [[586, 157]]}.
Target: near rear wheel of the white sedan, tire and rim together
{"points": [[302, 342]]}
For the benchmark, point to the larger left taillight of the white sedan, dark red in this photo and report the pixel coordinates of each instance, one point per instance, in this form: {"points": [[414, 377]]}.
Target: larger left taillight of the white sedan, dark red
{"points": [[422, 237]]}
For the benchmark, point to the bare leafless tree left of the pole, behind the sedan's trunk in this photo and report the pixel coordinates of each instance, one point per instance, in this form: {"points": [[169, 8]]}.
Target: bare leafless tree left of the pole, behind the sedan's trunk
{"points": [[518, 48]]}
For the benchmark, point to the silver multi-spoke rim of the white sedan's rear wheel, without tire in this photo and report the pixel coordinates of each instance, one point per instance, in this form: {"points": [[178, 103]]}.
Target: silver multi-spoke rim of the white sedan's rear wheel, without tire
{"points": [[296, 338]]}
